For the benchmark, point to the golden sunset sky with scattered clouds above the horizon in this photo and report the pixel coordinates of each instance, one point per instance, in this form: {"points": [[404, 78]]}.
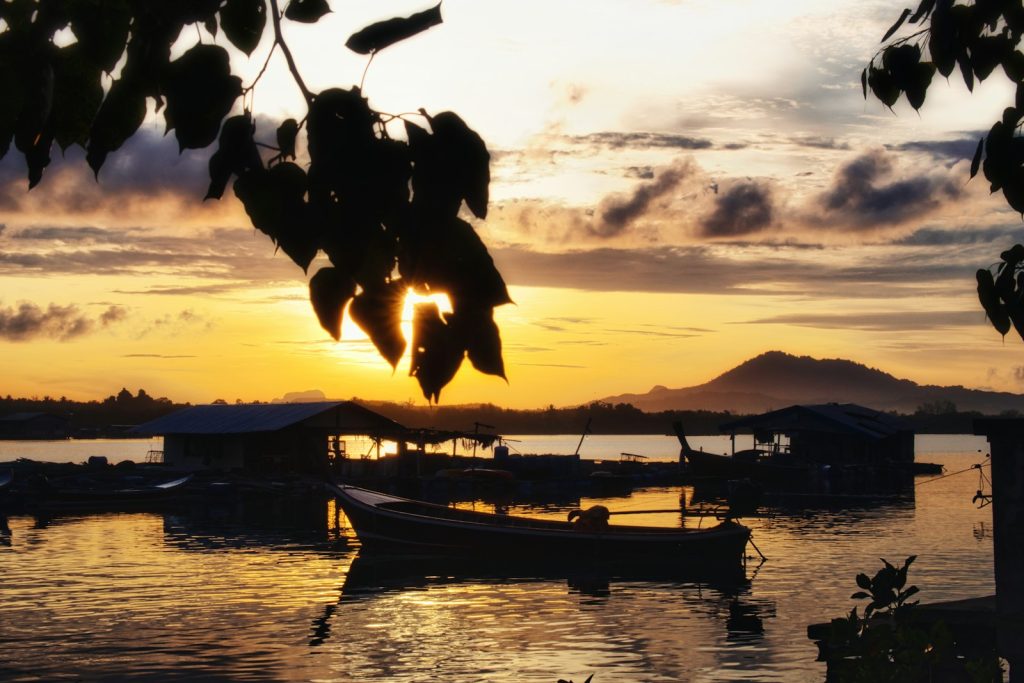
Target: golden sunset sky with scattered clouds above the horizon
{"points": [[678, 186]]}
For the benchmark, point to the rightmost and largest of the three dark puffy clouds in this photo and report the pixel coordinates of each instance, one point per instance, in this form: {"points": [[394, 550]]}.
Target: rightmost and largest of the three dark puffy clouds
{"points": [[866, 195]]}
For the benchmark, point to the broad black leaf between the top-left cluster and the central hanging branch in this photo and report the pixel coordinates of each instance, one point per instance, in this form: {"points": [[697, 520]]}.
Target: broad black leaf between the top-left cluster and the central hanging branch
{"points": [[200, 92]]}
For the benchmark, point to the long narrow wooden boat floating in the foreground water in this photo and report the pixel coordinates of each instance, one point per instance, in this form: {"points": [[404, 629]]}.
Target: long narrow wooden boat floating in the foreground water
{"points": [[385, 522]]}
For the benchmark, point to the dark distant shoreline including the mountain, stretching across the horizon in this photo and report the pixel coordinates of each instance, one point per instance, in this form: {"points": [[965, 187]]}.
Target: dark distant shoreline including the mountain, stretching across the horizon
{"points": [[771, 381]]}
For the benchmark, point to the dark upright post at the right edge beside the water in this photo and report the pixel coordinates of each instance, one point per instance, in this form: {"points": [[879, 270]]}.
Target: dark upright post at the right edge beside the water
{"points": [[1006, 439]]}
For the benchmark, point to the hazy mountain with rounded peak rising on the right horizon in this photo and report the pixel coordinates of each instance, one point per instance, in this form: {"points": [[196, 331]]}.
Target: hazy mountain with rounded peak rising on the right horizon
{"points": [[776, 380]]}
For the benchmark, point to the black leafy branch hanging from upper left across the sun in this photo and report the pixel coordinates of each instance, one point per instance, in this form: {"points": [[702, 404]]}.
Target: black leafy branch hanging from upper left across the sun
{"points": [[385, 210]]}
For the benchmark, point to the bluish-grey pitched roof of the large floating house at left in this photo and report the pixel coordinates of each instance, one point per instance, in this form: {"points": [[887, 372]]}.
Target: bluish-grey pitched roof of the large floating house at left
{"points": [[244, 419]]}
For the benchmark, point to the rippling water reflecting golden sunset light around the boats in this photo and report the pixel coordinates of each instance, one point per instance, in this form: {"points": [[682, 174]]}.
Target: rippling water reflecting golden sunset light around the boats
{"points": [[274, 591]]}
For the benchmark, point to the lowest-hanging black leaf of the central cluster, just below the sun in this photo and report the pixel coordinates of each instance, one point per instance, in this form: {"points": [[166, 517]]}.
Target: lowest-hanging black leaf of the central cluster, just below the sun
{"points": [[437, 352]]}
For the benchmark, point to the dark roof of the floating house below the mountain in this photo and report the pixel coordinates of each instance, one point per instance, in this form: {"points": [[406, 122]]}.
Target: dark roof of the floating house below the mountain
{"points": [[828, 418]]}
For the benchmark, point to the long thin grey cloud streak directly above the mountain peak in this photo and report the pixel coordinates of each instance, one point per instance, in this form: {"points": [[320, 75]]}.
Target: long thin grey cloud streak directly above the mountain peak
{"points": [[880, 322]]}
